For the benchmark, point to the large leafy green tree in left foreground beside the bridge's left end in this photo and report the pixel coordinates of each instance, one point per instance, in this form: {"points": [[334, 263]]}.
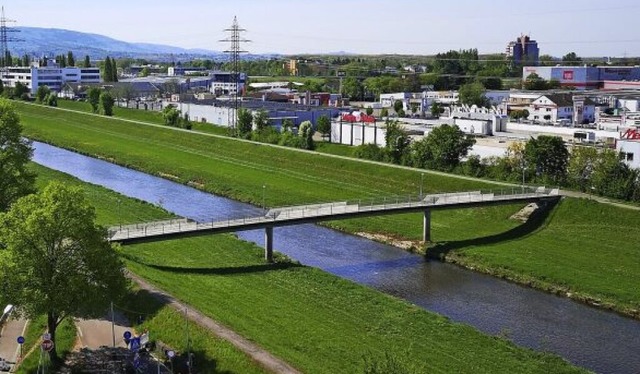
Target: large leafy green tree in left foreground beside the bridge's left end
{"points": [[57, 260]]}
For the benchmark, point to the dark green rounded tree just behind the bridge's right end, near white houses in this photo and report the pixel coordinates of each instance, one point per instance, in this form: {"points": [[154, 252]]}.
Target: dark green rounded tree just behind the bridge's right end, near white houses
{"points": [[548, 157]]}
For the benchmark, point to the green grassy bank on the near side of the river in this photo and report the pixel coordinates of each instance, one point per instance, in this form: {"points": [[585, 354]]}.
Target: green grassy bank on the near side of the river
{"points": [[314, 320]]}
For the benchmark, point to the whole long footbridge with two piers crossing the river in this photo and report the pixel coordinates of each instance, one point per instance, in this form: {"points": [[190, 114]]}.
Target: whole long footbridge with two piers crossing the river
{"points": [[295, 215]]}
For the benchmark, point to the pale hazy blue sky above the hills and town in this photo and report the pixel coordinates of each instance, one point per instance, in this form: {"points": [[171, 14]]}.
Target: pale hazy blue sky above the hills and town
{"points": [[421, 27]]}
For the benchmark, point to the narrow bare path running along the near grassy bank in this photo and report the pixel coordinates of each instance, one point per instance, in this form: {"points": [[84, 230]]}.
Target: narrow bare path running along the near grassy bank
{"points": [[256, 353]]}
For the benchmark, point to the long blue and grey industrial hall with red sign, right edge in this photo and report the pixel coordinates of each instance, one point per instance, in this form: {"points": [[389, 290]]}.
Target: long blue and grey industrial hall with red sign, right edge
{"points": [[584, 77]]}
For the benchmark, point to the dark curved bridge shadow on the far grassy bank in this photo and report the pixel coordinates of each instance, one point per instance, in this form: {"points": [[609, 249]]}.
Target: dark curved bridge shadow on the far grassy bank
{"points": [[535, 221]]}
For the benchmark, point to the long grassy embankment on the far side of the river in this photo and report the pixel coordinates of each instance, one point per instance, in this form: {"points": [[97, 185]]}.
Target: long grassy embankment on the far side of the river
{"points": [[239, 170]]}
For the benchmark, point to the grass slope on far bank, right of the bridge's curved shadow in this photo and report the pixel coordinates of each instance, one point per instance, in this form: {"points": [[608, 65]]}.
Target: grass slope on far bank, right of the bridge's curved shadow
{"points": [[584, 248]]}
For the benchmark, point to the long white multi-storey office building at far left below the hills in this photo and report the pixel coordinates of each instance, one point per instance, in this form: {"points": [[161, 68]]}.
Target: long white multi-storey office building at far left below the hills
{"points": [[53, 76]]}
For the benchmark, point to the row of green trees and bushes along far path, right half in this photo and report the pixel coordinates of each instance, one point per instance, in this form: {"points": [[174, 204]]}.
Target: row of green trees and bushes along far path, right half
{"points": [[543, 160]]}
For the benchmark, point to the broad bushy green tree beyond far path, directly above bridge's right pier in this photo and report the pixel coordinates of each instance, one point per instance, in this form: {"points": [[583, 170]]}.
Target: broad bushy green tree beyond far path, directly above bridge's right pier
{"points": [[442, 149]]}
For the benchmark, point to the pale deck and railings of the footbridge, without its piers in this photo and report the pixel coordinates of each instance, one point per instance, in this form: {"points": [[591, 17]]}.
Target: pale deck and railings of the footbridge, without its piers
{"points": [[330, 209]]}
